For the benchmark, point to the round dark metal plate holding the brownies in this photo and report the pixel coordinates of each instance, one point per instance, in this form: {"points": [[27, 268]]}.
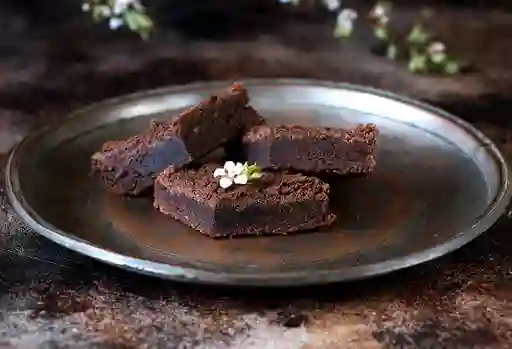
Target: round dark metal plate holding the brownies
{"points": [[439, 183]]}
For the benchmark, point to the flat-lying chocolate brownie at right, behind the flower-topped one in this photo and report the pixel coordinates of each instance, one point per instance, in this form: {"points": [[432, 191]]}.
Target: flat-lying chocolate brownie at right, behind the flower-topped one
{"points": [[312, 149]]}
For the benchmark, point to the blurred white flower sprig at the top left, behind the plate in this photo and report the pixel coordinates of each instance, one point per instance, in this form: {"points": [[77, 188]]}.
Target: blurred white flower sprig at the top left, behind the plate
{"points": [[120, 12]]}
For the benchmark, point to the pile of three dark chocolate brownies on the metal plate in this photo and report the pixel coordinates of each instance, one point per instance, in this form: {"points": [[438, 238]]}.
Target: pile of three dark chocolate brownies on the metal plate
{"points": [[285, 197]]}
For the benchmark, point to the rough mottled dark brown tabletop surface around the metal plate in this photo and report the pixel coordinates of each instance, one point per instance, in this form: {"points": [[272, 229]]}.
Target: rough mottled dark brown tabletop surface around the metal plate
{"points": [[53, 298]]}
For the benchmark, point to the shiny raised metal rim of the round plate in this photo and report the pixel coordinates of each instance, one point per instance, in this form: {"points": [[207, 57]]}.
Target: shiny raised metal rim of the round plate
{"points": [[287, 278]]}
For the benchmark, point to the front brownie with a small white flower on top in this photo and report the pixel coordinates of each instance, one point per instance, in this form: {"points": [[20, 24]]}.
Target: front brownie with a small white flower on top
{"points": [[277, 203]]}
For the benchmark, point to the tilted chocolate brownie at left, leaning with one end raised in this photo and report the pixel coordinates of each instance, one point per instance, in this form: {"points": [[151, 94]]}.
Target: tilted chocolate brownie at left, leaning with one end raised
{"points": [[130, 166]]}
